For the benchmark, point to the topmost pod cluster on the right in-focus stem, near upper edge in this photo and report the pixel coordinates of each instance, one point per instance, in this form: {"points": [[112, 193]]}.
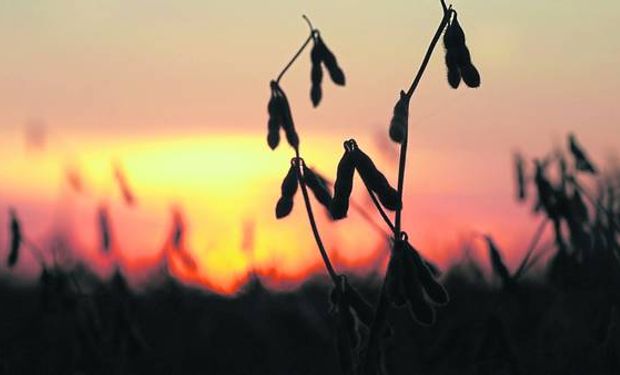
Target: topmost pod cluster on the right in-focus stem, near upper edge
{"points": [[458, 58]]}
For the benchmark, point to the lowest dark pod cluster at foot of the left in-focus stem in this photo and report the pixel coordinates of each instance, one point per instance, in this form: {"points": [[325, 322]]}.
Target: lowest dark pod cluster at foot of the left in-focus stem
{"points": [[350, 310]]}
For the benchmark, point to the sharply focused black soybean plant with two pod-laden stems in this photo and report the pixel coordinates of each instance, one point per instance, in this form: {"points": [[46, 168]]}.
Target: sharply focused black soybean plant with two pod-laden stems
{"points": [[408, 281]]}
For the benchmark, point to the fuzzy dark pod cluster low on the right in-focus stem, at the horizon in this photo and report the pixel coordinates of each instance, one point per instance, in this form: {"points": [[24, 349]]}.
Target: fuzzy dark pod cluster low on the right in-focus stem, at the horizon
{"points": [[410, 282]]}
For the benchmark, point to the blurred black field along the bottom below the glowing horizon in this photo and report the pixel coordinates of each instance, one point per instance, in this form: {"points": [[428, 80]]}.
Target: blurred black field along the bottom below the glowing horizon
{"points": [[536, 328]]}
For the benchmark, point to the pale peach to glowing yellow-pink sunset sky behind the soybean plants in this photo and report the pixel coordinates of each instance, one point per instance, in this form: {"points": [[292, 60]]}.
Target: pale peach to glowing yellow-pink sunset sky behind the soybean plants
{"points": [[176, 93]]}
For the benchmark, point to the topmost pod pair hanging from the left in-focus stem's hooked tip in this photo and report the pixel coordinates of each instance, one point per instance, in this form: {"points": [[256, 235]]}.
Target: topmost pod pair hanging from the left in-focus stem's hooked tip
{"points": [[321, 55]]}
